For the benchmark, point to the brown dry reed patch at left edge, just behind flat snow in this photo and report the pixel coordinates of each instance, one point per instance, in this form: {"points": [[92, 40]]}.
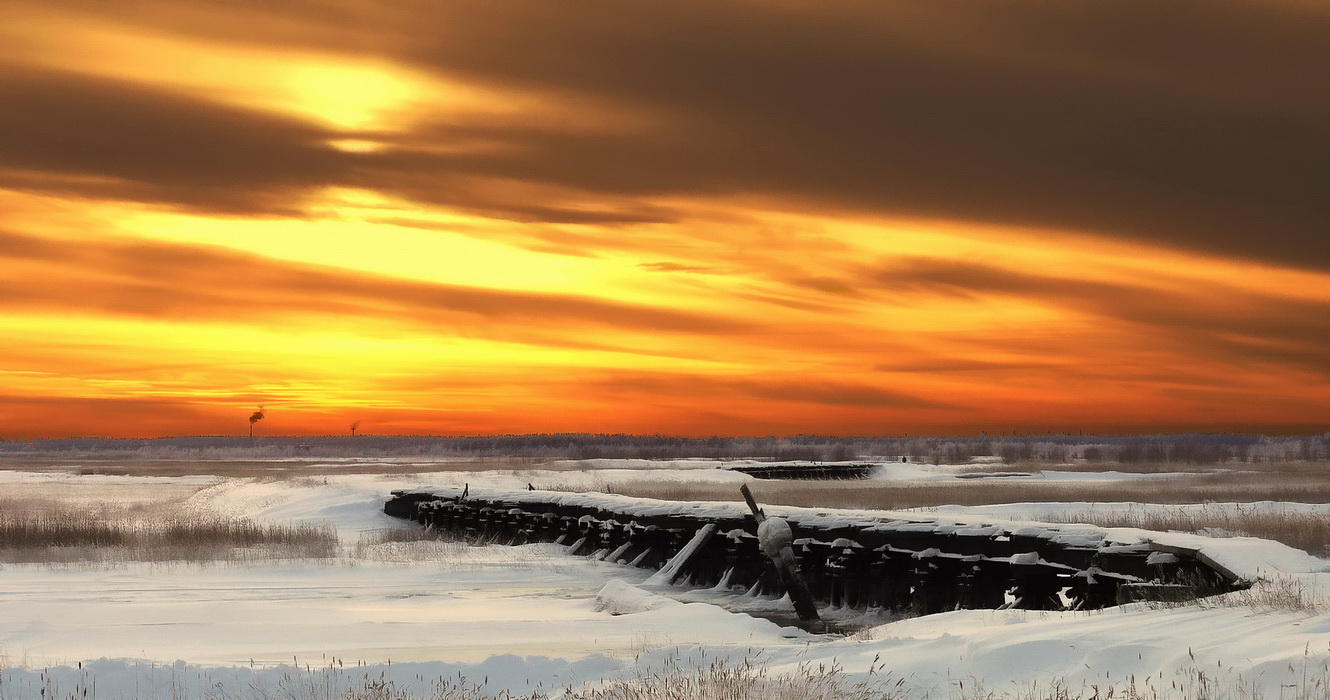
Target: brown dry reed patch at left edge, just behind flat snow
{"points": [[70, 536]]}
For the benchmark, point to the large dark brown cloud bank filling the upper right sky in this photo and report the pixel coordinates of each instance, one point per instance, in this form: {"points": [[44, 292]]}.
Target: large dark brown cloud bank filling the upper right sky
{"points": [[1207, 136]]}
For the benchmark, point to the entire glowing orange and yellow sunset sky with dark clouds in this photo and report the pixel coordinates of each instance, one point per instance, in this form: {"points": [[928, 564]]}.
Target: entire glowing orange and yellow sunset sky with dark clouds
{"points": [[720, 218]]}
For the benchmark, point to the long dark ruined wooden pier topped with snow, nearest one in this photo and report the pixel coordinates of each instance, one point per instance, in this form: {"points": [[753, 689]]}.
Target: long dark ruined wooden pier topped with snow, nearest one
{"points": [[847, 558]]}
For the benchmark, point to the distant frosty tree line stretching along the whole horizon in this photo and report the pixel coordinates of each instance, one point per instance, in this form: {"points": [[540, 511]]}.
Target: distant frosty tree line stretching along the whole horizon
{"points": [[1183, 449]]}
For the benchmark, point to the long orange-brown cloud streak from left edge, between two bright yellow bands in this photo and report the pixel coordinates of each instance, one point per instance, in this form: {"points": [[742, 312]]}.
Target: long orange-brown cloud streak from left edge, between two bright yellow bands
{"points": [[192, 283]]}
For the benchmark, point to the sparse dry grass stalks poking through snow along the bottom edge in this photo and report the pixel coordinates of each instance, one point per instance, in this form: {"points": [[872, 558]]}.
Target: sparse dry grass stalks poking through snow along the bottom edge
{"points": [[744, 679]]}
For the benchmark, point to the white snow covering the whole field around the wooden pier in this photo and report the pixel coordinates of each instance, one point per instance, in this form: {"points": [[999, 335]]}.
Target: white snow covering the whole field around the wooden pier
{"points": [[526, 618]]}
